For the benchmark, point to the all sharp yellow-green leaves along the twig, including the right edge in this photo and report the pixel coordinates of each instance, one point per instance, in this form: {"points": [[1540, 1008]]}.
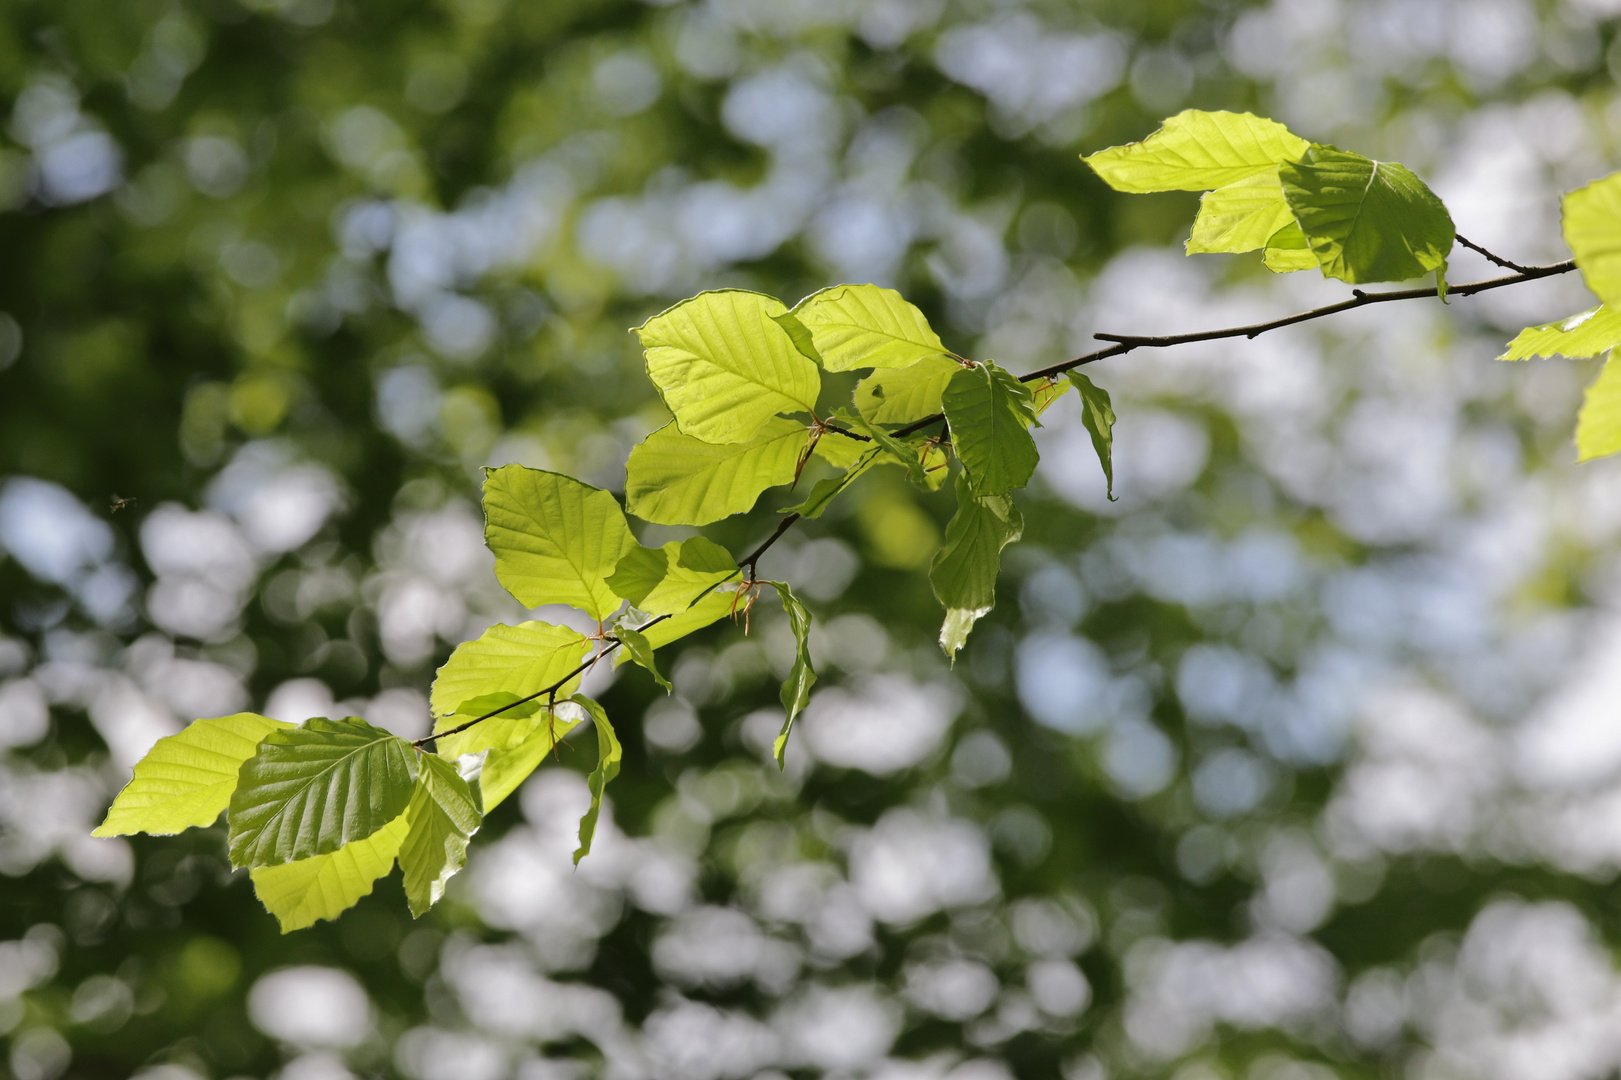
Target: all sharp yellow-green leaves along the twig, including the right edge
{"points": [[320, 812]]}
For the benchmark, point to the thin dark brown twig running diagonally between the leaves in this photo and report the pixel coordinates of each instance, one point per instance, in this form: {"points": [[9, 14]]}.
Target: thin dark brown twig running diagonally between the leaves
{"points": [[1121, 346]]}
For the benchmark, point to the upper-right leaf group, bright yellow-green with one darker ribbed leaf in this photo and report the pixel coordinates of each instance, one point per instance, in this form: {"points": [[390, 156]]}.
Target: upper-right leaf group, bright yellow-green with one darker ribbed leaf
{"points": [[1304, 205]]}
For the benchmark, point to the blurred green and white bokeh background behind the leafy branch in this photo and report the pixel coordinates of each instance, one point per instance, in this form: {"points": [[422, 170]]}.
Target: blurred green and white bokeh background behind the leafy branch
{"points": [[1301, 761]]}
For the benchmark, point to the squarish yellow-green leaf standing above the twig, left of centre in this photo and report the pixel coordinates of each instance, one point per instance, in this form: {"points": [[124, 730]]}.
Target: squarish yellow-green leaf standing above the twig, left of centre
{"points": [[555, 539]]}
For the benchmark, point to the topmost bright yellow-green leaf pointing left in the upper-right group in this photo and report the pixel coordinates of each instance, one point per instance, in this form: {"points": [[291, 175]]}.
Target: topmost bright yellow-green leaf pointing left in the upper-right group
{"points": [[1197, 152]]}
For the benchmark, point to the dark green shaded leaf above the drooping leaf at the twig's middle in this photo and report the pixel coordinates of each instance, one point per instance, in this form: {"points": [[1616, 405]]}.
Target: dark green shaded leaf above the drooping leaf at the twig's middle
{"points": [[991, 413]]}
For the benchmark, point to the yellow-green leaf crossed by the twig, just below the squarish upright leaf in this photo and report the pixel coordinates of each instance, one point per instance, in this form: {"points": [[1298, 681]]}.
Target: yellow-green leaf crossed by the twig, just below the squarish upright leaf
{"points": [[518, 661]]}
